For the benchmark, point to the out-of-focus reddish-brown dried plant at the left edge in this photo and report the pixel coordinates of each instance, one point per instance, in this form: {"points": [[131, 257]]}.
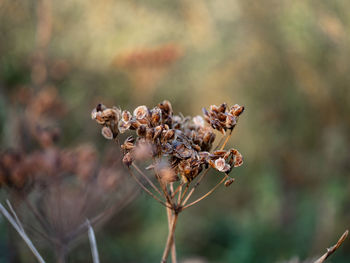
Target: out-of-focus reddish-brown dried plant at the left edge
{"points": [[56, 190]]}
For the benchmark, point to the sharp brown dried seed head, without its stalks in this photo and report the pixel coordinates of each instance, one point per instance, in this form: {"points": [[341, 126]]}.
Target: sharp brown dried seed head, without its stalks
{"points": [[185, 142]]}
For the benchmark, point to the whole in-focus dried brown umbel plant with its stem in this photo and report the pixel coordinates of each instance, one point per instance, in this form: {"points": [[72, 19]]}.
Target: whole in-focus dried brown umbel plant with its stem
{"points": [[177, 150]]}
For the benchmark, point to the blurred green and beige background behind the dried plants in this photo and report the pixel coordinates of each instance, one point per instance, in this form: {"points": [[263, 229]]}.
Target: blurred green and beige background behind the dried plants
{"points": [[287, 61]]}
